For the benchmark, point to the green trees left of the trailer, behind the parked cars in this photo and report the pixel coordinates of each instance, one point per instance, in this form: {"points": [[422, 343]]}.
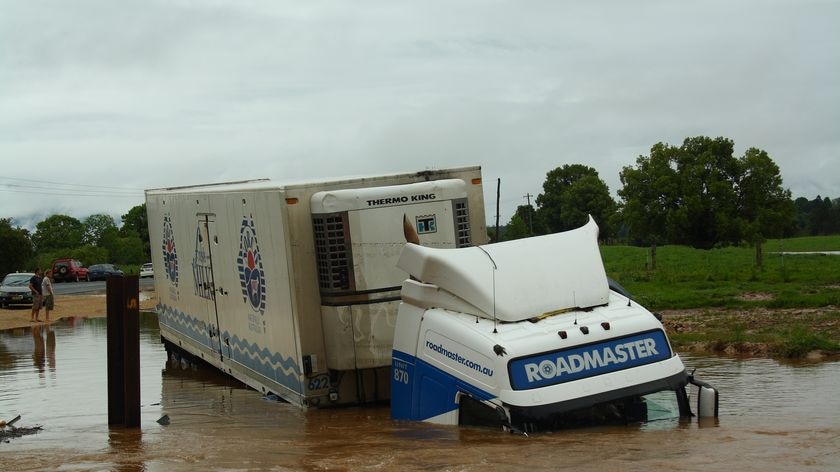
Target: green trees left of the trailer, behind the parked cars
{"points": [[92, 240]]}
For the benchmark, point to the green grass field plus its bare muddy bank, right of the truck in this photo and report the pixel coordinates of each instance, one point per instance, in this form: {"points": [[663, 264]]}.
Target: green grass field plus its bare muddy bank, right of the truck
{"points": [[726, 281]]}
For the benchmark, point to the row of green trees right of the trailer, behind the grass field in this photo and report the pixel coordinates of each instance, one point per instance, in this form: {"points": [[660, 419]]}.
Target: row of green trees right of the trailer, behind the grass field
{"points": [[697, 194]]}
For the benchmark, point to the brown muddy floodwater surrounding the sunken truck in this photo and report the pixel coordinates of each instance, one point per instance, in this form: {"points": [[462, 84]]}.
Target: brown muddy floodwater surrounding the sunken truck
{"points": [[773, 416]]}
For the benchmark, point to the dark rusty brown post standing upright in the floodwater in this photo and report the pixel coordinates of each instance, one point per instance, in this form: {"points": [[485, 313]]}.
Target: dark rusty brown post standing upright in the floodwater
{"points": [[123, 351]]}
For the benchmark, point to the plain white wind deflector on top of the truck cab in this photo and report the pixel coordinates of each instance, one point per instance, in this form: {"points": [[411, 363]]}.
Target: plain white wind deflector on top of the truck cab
{"points": [[513, 280]]}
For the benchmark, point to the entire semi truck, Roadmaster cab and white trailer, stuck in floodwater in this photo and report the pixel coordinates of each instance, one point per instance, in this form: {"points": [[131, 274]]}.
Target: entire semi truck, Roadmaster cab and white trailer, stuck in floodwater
{"points": [[359, 290]]}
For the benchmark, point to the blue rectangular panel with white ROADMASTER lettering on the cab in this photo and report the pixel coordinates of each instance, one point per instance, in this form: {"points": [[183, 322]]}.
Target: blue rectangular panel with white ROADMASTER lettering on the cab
{"points": [[587, 361]]}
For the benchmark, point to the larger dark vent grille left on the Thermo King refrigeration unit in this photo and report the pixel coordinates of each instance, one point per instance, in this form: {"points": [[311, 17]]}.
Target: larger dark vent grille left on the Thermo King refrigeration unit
{"points": [[332, 246]]}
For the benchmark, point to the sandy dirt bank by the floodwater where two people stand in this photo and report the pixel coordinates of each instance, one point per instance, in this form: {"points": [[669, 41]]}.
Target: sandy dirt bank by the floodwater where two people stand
{"points": [[66, 306]]}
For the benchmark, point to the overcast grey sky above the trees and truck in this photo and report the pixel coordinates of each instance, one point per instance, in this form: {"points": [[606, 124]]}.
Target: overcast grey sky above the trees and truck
{"points": [[108, 98]]}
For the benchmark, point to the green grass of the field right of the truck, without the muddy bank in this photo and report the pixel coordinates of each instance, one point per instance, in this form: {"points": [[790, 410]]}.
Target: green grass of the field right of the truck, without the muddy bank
{"points": [[728, 277]]}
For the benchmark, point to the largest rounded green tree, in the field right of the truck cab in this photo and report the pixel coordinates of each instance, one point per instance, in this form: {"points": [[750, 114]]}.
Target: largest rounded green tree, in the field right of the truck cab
{"points": [[699, 194]]}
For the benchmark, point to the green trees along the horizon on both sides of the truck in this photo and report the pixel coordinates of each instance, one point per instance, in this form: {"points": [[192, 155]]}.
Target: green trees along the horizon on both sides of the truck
{"points": [[697, 194]]}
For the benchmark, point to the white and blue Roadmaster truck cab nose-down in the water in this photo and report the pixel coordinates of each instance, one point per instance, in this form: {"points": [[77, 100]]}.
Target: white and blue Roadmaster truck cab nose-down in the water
{"points": [[531, 335]]}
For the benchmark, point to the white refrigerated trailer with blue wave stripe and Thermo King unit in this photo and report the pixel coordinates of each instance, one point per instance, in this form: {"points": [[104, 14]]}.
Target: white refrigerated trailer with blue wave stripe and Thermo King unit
{"points": [[294, 289]]}
